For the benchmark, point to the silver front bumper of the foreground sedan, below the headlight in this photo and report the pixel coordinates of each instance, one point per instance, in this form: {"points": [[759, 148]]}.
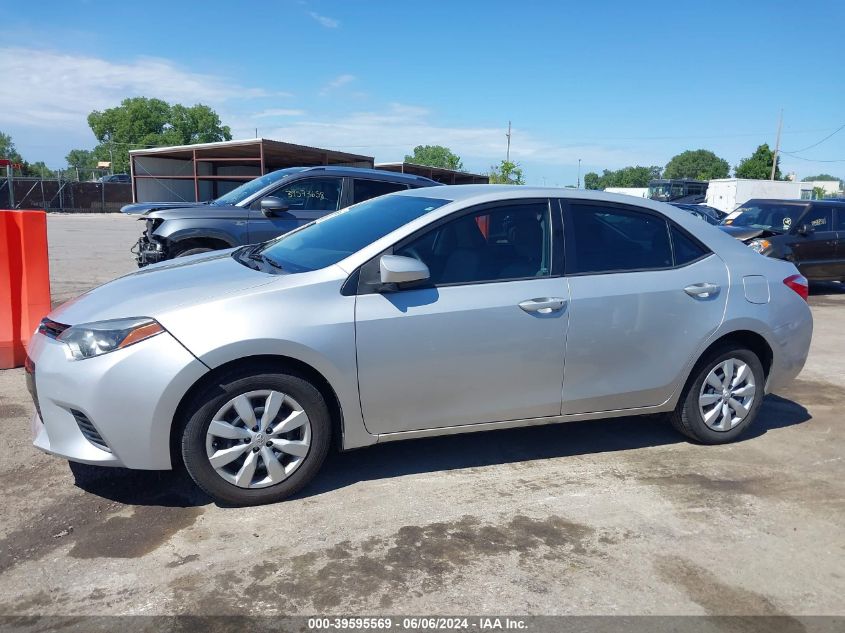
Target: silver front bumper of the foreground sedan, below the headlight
{"points": [[128, 397]]}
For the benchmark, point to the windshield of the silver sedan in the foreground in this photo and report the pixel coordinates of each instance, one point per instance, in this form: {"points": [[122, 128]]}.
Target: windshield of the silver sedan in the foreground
{"points": [[332, 238]]}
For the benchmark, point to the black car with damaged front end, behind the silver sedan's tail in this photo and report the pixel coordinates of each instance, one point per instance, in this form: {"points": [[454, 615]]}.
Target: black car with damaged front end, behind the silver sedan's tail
{"points": [[809, 233]]}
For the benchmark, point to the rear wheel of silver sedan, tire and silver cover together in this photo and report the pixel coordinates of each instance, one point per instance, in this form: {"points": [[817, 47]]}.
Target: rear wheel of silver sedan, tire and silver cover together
{"points": [[722, 398]]}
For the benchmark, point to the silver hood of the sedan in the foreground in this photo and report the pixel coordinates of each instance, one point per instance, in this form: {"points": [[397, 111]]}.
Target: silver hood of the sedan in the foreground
{"points": [[160, 288]]}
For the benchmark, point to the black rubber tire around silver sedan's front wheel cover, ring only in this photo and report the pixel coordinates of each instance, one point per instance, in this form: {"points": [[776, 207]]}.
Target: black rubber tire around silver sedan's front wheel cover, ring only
{"points": [[209, 400]]}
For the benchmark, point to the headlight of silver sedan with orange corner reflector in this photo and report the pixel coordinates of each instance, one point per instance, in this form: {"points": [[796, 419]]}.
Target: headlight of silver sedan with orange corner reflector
{"points": [[92, 339]]}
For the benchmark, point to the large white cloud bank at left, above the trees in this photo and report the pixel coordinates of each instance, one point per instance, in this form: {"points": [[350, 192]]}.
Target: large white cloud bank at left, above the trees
{"points": [[43, 88]]}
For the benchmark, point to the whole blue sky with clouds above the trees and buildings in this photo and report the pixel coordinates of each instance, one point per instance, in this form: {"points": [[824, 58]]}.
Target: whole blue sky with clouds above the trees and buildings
{"points": [[612, 83]]}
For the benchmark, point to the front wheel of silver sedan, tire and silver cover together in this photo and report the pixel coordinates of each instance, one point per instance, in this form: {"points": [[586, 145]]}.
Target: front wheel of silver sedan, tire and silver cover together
{"points": [[256, 438]]}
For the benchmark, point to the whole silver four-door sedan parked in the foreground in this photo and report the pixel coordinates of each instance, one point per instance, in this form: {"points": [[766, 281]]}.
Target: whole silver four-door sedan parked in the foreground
{"points": [[429, 312]]}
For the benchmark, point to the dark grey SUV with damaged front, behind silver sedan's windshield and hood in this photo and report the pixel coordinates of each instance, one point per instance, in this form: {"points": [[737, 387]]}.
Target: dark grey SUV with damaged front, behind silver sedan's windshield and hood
{"points": [[259, 210]]}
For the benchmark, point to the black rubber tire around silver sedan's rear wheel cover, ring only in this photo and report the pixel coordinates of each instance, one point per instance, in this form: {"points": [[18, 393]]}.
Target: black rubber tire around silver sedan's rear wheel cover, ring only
{"points": [[687, 418]]}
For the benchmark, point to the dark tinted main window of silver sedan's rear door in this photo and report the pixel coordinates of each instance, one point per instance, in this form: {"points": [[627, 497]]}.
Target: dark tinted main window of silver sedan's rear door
{"points": [[603, 239]]}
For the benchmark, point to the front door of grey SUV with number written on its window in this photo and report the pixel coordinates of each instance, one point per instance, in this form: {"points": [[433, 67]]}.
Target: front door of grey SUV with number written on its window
{"points": [[307, 199]]}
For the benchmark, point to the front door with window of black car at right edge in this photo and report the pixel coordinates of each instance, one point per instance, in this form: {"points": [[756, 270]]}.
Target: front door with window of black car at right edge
{"points": [[816, 252]]}
